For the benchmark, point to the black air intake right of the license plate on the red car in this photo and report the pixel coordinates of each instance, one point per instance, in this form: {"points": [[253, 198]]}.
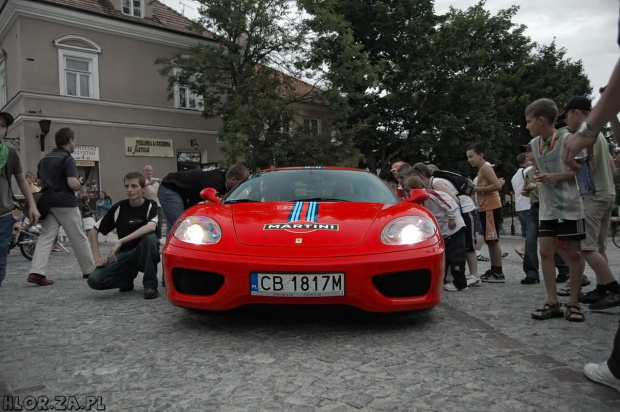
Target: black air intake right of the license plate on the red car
{"points": [[403, 284]]}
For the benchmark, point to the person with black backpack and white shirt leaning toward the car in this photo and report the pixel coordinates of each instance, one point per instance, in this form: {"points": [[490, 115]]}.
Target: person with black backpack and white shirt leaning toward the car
{"points": [[460, 188]]}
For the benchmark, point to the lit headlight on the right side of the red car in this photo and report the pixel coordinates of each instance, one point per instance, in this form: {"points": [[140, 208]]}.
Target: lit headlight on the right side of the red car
{"points": [[408, 230]]}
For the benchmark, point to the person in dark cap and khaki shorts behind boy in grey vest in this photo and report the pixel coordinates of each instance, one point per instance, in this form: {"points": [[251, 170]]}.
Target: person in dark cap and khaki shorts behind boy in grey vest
{"points": [[597, 210]]}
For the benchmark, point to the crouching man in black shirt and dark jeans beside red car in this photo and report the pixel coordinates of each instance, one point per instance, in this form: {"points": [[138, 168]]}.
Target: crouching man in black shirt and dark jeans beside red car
{"points": [[137, 249]]}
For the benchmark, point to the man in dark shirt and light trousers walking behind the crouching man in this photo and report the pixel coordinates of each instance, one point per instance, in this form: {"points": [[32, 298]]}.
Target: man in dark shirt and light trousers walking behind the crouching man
{"points": [[58, 174]]}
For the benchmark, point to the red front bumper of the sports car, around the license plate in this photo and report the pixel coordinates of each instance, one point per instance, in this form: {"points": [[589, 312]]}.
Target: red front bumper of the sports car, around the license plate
{"points": [[233, 288]]}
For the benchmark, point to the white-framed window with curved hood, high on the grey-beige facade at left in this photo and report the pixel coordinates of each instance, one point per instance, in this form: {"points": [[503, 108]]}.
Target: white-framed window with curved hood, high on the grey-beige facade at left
{"points": [[78, 61]]}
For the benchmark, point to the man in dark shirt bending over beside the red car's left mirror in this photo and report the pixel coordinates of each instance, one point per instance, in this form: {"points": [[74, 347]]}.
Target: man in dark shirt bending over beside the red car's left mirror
{"points": [[180, 190]]}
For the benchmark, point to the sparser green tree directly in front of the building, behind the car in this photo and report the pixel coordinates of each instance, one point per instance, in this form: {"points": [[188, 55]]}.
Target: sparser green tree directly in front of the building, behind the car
{"points": [[246, 77]]}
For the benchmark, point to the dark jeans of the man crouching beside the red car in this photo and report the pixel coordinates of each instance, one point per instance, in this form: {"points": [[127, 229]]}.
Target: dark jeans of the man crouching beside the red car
{"points": [[122, 272]]}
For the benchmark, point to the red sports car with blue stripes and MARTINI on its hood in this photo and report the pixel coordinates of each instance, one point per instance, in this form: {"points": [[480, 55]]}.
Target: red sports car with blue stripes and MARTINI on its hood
{"points": [[306, 235]]}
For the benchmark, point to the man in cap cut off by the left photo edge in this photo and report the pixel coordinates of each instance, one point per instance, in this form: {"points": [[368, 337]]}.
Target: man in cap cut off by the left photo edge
{"points": [[10, 167]]}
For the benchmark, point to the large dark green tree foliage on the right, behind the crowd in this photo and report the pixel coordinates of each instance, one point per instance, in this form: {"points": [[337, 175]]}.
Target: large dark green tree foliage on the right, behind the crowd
{"points": [[422, 87]]}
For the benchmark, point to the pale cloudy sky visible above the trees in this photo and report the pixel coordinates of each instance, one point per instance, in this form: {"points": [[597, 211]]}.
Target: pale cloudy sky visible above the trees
{"points": [[588, 30]]}
